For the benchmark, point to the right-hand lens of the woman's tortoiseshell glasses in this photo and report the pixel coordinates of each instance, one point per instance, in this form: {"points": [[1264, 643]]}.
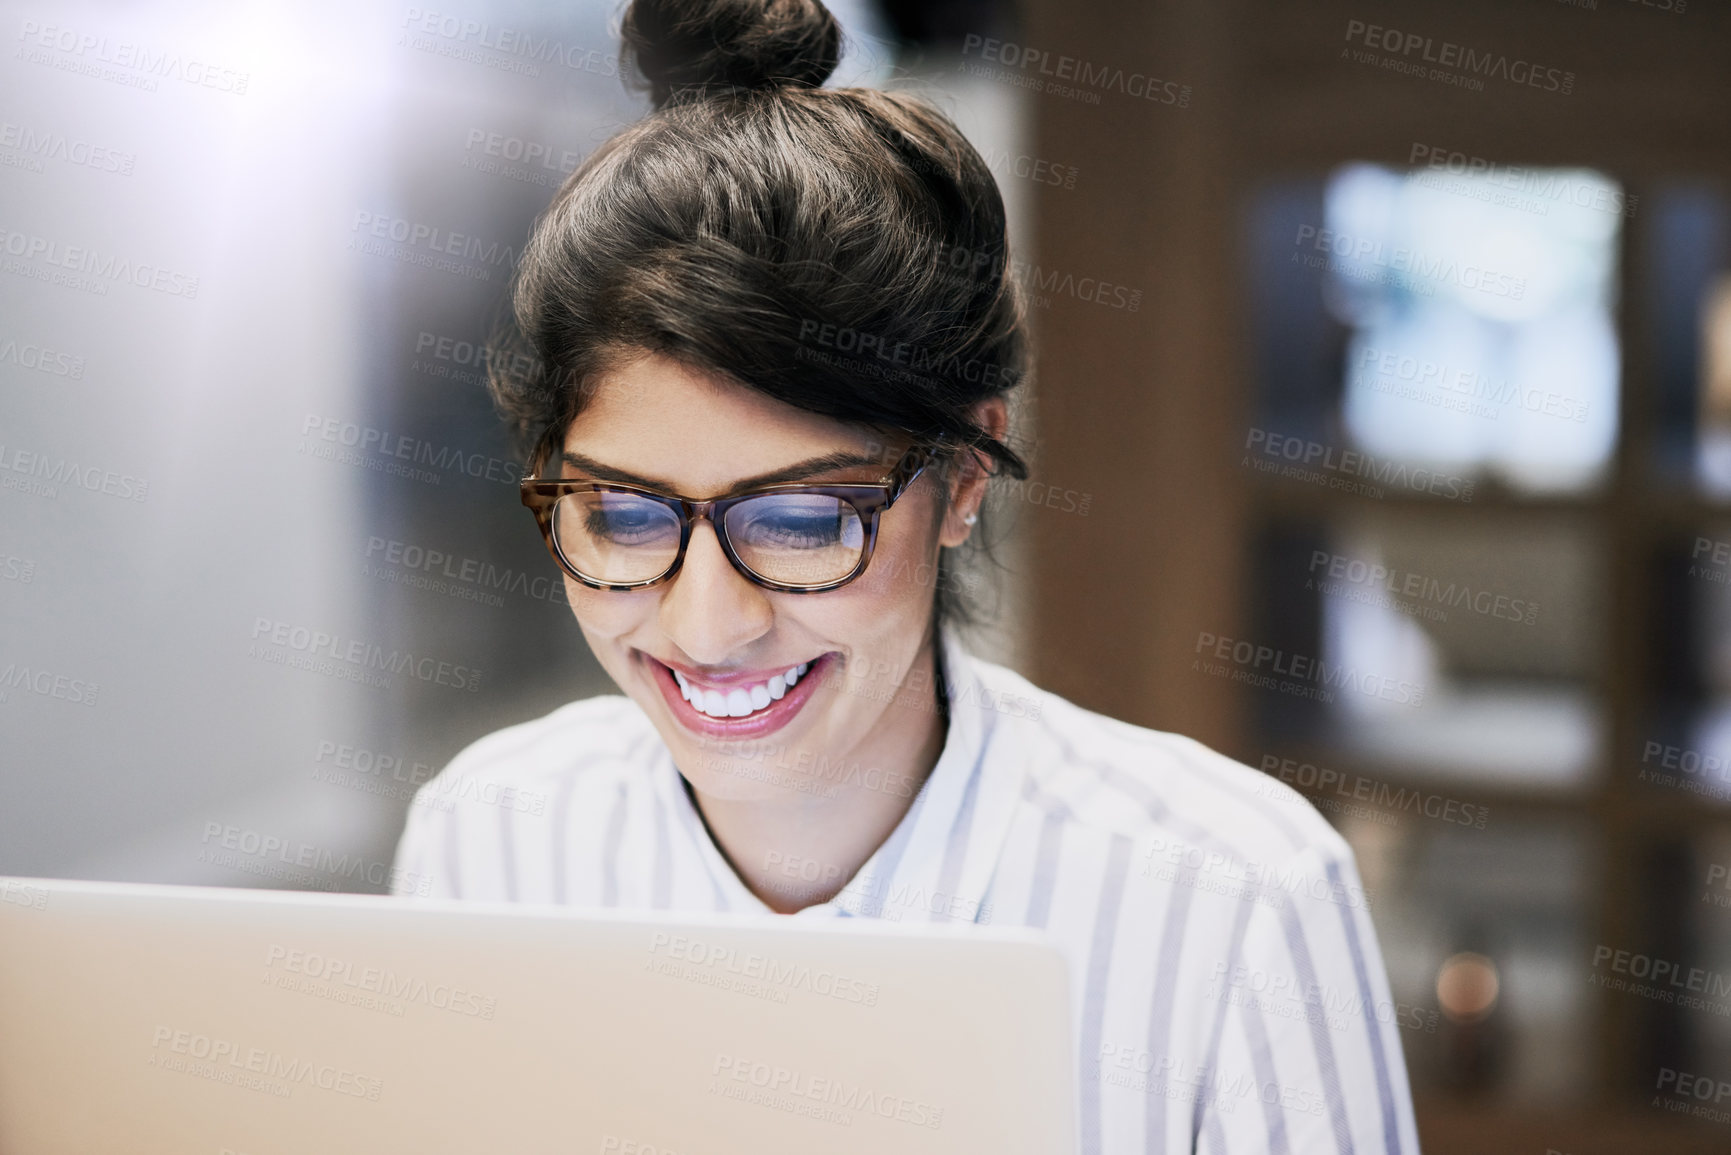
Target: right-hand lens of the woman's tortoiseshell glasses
{"points": [[797, 539]]}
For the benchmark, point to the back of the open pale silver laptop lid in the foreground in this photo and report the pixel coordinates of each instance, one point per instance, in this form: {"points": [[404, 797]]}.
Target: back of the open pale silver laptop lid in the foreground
{"points": [[209, 1021]]}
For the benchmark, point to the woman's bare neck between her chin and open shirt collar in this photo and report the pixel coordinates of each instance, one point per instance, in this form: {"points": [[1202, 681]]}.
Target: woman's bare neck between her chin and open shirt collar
{"points": [[801, 849]]}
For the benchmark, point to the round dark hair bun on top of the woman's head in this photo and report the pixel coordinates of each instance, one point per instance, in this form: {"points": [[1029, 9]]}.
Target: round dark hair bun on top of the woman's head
{"points": [[693, 46]]}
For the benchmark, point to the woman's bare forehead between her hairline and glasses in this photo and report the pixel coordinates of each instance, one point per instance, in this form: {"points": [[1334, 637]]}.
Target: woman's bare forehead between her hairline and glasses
{"points": [[702, 434]]}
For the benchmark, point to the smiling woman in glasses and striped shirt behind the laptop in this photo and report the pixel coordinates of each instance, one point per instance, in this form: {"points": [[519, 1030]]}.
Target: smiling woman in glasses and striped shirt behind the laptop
{"points": [[778, 333]]}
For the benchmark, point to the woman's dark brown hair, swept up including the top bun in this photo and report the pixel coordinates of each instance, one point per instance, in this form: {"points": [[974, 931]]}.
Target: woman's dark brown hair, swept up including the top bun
{"points": [[840, 250]]}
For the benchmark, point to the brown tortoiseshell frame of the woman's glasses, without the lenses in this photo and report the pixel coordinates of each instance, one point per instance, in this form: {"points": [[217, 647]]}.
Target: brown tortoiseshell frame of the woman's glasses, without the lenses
{"points": [[868, 500]]}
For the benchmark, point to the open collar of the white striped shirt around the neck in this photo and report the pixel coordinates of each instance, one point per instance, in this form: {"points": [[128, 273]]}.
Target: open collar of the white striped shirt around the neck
{"points": [[937, 863]]}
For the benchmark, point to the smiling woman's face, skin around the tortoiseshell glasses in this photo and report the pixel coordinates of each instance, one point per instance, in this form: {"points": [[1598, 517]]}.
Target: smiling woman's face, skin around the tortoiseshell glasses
{"points": [[657, 423]]}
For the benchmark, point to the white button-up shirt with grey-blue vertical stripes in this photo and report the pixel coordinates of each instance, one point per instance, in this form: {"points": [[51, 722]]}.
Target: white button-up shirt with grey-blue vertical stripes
{"points": [[1230, 993]]}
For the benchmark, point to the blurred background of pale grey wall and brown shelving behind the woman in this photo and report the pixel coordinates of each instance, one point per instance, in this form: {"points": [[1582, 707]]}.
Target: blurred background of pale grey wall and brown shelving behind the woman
{"points": [[1382, 441]]}
